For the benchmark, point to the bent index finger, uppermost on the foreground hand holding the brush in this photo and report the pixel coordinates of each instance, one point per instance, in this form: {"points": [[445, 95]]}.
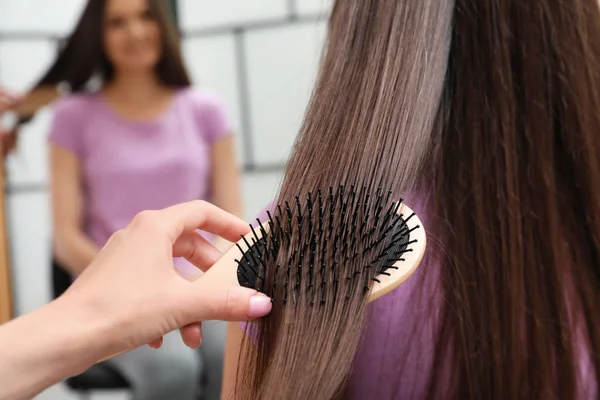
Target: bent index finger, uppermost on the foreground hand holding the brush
{"points": [[199, 214]]}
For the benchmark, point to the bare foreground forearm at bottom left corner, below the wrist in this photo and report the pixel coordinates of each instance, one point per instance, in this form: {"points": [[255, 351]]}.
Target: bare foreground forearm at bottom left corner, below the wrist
{"points": [[48, 345]]}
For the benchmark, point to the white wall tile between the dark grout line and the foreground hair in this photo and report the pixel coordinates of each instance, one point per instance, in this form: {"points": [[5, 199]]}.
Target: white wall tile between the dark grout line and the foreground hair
{"points": [[282, 65]]}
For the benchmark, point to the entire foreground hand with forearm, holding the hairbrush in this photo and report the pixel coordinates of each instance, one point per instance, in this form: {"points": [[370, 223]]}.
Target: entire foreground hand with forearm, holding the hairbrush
{"points": [[128, 296]]}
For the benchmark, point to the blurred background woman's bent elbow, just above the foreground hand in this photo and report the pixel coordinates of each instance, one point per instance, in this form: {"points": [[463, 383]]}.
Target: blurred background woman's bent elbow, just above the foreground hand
{"points": [[75, 251]]}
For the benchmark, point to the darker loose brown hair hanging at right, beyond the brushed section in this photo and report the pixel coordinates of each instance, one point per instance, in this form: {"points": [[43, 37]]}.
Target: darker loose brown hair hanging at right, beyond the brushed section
{"points": [[515, 179]]}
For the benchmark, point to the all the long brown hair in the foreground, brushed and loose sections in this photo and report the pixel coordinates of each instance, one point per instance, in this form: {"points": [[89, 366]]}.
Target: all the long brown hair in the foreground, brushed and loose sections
{"points": [[492, 108]]}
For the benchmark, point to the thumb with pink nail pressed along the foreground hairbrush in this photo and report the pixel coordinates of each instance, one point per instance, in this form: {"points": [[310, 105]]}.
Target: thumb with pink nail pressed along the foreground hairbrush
{"points": [[229, 304]]}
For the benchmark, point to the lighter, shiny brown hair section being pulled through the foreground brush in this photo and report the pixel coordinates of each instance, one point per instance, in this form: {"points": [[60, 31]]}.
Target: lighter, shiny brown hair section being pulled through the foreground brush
{"points": [[373, 109]]}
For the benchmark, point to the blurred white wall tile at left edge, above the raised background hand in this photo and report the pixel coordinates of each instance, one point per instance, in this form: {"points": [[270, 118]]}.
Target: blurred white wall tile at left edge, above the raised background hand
{"points": [[22, 62]]}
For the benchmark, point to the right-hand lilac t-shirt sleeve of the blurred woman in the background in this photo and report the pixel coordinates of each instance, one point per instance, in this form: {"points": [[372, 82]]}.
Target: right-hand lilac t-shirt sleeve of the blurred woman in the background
{"points": [[211, 115]]}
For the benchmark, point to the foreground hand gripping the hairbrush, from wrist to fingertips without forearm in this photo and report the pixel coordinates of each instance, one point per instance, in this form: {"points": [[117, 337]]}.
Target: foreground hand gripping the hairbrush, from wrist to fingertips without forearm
{"points": [[133, 283]]}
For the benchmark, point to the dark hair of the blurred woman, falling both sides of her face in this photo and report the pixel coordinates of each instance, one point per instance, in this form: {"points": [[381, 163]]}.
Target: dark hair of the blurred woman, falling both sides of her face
{"points": [[83, 55]]}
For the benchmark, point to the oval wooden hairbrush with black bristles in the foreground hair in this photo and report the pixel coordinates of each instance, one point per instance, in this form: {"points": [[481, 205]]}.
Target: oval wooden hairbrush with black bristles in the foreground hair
{"points": [[357, 241]]}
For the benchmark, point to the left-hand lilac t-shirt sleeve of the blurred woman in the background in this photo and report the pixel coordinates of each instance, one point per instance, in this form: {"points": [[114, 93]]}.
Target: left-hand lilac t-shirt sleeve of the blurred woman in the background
{"points": [[65, 129]]}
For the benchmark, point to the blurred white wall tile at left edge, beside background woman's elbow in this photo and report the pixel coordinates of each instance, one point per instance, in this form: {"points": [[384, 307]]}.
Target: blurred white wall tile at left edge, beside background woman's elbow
{"points": [[29, 227]]}
